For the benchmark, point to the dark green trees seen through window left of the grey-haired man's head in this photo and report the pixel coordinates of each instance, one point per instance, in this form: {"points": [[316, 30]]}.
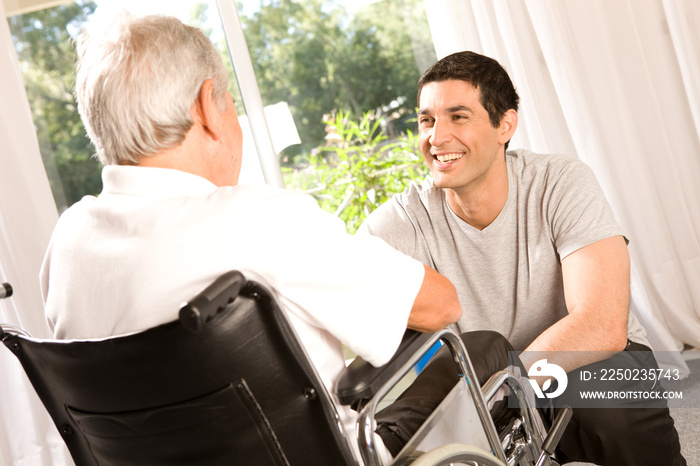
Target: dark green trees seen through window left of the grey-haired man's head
{"points": [[47, 55]]}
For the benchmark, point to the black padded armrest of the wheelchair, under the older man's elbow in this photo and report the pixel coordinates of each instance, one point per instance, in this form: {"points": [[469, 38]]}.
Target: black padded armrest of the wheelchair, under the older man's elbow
{"points": [[360, 381]]}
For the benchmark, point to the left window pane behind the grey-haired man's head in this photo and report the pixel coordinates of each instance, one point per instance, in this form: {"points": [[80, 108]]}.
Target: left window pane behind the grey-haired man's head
{"points": [[43, 40]]}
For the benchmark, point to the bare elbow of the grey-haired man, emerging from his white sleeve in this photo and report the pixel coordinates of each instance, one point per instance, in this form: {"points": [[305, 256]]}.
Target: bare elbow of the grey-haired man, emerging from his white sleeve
{"points": [[436, 305]]}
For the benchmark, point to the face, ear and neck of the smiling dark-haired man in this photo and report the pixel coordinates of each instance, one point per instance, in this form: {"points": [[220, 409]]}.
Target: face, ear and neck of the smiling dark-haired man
{"points": [[464, 150]]}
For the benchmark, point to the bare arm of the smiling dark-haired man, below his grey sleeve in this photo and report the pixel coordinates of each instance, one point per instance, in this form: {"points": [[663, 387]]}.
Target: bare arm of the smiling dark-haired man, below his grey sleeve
{"points": [[596, 288]]}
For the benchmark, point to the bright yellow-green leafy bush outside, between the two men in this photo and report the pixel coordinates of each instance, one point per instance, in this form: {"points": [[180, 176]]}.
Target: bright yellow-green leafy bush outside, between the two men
{"points": [[358, 168]]}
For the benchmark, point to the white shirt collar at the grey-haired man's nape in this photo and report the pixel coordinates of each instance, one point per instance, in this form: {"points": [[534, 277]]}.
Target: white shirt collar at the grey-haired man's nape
{"points": [[152, 182]]}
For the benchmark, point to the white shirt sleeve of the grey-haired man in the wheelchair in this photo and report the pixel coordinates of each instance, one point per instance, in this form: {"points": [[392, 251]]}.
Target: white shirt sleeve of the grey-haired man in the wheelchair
{"points": [[356, 287]]}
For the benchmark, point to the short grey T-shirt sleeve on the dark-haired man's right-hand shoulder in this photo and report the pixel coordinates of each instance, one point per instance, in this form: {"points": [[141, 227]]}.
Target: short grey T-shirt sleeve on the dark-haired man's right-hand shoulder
{"points": [[577, 210]]}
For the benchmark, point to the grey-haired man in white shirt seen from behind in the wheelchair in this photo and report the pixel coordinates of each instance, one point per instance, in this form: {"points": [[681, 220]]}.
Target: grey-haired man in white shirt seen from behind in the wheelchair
{"points": [[153, 94]]}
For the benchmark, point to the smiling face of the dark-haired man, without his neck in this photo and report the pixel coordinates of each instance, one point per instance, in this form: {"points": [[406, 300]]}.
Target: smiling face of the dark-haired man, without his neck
{"points": [[457, 140]]}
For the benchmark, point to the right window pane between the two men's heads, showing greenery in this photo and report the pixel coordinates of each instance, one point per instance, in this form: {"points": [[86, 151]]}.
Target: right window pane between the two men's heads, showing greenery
{"points": [[347, 70]]}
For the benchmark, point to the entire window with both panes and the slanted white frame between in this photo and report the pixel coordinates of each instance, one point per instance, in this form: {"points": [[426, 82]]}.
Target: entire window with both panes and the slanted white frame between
{"points": [[337, 81]]}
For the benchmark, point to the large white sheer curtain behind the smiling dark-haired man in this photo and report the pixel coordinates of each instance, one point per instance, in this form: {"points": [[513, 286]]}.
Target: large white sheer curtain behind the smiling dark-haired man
{"points": [[617, 83]]}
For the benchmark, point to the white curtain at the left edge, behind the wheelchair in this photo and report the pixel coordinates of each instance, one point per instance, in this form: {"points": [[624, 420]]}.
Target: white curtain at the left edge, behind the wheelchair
{"points": [[27, 217]]}
